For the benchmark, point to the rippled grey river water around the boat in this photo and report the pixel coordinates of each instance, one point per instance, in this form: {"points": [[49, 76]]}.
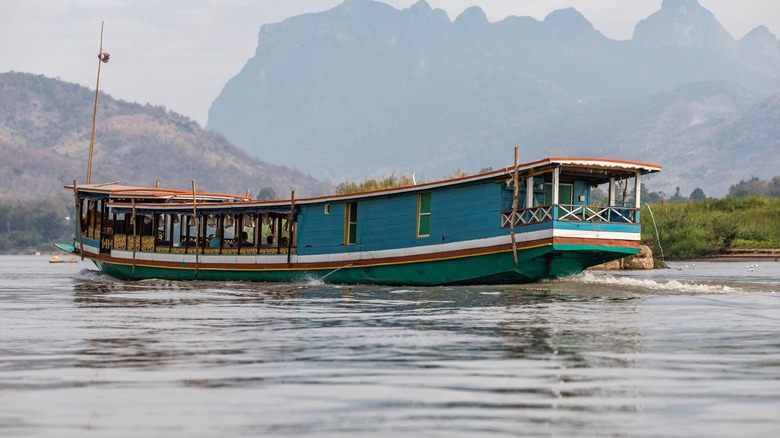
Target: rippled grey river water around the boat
{"points": [[688, 351]]}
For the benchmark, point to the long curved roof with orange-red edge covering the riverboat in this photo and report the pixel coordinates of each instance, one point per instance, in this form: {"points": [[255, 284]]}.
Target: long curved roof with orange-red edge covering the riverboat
{"points": [[592, 170]]}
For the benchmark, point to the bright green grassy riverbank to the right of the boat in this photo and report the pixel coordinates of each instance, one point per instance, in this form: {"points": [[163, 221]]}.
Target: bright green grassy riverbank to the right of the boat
{"points": [[712, 227]]}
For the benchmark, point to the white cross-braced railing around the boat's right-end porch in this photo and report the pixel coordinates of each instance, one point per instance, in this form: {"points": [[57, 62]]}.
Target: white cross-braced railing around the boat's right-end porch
{"points": [[571, 213]]}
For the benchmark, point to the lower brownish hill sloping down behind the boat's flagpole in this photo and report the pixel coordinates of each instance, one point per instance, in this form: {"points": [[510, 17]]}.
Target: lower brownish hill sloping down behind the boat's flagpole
{"points": [[45, 127]]}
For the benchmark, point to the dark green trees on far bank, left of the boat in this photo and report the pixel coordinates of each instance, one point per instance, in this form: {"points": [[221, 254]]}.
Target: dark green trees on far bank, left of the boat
{"points": [[33, 225]]}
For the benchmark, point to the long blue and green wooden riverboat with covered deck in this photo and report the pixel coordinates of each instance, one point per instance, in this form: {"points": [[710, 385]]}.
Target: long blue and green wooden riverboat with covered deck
{"points": [[517, 224]]}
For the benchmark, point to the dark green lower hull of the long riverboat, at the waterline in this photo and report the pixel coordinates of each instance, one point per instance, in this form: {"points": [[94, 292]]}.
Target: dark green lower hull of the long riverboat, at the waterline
{"points": [[533, 264]]}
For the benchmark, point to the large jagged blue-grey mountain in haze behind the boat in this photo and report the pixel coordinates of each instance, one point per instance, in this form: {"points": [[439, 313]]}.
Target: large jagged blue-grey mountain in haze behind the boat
{"points": [[366, 89]]}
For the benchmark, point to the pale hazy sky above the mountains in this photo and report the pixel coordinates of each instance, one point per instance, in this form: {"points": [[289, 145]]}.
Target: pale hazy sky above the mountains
{"points": [[180, 53]]}
